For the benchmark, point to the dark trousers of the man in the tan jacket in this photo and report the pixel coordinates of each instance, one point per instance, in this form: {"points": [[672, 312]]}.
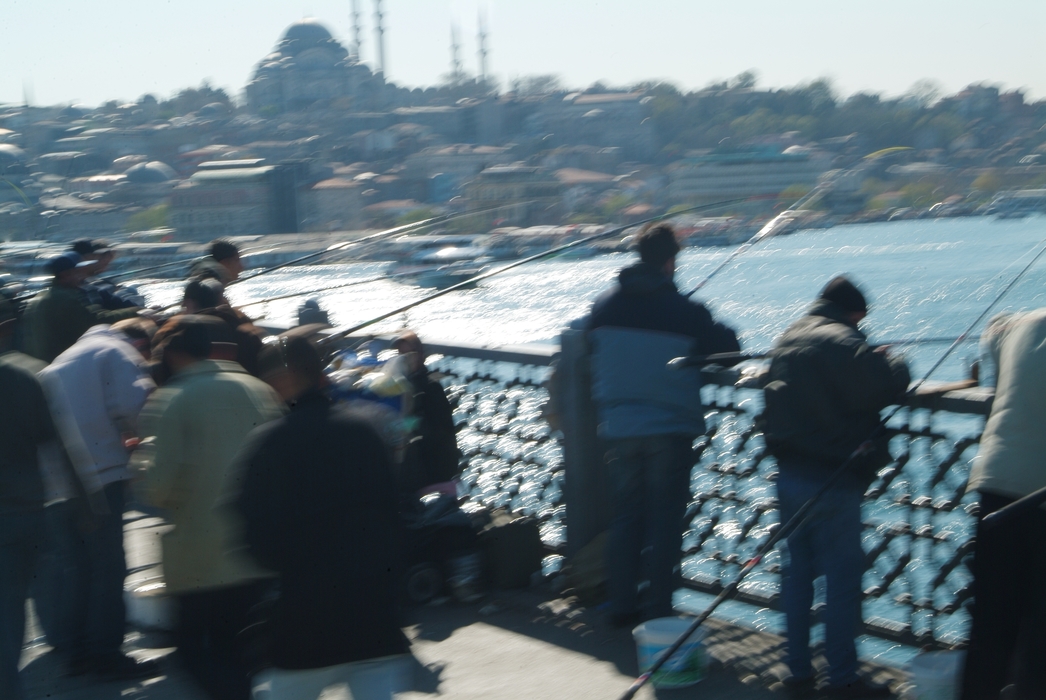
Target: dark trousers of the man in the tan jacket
{"points": [[209, 625]]}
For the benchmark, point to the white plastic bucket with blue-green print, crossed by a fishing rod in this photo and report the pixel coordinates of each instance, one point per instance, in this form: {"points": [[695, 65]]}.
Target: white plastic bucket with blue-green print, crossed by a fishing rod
{"points": [[685, 668]]}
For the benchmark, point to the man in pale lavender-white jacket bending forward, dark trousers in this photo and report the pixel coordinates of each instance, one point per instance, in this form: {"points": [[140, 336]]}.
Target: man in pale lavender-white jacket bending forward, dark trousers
{"points": [[97, 390]]}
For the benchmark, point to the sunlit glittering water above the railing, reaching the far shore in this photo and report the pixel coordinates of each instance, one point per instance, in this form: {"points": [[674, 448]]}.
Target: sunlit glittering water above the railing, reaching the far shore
{"points": [[925, 279]]}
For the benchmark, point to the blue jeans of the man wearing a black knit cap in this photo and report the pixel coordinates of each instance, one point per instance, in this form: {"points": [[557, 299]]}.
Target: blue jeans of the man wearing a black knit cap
{"points": [[829, 545]]}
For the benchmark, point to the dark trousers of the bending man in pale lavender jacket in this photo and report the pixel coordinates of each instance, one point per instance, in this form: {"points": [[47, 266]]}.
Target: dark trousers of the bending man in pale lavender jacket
{"points": [[98, 614]]}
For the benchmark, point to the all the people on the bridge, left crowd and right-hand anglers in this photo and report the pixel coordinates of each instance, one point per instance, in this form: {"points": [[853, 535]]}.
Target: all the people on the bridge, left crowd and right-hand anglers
{"points": [[285, 551]]}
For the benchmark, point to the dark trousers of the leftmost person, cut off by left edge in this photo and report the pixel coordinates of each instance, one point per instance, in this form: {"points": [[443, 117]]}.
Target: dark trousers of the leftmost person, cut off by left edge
{"points": [[21, 538]]}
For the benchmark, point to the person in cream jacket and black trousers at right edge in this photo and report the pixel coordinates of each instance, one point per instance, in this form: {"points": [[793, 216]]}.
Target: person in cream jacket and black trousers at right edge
{"points": [[1009, 625]]}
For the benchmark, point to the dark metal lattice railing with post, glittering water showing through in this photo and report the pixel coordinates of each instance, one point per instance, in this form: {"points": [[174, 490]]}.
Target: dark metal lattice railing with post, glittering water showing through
{"points": [[919, 523]]}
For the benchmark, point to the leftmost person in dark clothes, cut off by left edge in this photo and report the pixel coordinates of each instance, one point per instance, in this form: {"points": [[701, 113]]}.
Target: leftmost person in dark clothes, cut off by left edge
{"points": [[26, 426]]}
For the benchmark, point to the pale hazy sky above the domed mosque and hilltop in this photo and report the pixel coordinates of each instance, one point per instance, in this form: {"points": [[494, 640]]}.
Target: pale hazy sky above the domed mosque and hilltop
{"points": [[94, 51]]}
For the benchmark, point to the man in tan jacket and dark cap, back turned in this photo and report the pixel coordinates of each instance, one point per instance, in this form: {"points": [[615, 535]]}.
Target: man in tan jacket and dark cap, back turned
{"points": [[198, 422]]}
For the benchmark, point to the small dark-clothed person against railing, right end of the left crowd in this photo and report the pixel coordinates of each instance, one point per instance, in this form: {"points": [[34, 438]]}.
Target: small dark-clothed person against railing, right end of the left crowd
{"points": [[434, 460]]}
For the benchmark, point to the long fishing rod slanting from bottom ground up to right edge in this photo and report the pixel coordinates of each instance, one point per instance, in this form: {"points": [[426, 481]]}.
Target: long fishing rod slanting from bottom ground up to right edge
{"points": [[798, 521]]}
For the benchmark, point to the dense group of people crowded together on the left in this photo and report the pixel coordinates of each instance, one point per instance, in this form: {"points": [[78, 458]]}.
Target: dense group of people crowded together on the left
{"points": [[283, 505]]}
